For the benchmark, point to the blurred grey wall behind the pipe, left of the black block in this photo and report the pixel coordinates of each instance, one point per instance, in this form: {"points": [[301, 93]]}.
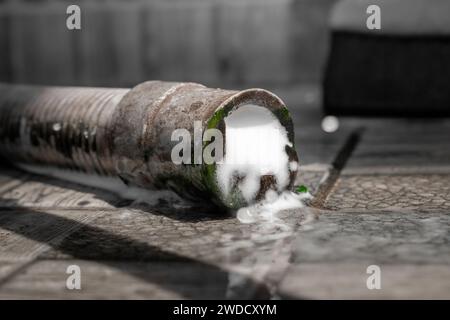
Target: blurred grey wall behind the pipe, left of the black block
{"points": [[215, 42]]}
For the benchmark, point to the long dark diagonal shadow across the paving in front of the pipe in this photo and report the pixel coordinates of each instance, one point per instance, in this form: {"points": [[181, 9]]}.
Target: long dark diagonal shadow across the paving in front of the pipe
{"points": [[100, 245]]}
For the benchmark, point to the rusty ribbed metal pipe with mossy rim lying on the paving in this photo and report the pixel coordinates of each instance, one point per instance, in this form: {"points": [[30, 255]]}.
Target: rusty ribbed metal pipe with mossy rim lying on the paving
{"points": [[125, 133]]}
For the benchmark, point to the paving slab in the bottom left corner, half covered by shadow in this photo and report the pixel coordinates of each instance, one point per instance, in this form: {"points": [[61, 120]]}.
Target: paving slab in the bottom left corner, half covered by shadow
{"points": [[46, 279]]}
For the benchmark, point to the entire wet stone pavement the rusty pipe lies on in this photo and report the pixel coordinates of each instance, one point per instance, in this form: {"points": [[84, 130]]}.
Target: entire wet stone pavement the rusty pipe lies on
{"points": [[381, 197]]}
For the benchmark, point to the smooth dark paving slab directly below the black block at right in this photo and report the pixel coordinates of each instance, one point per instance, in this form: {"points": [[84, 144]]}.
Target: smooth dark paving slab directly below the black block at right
{"points": [[396, 146]]}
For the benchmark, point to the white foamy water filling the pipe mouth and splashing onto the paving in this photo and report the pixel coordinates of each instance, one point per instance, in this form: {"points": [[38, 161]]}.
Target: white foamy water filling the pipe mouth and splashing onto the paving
{"points": [[255, 146]]}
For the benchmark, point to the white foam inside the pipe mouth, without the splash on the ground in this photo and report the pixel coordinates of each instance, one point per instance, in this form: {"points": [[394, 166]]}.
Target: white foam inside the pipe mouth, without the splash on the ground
{"points": [[255, 146]]}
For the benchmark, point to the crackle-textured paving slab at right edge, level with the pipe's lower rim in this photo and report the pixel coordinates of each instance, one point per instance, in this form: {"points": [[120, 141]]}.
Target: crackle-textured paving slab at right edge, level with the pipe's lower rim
{"points": [[419, 192]]}
